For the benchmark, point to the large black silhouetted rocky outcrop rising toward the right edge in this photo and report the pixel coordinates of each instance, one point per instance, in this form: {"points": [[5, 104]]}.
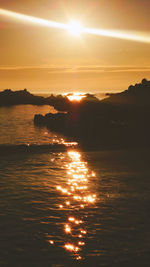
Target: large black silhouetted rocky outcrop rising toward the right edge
{"points": [[120, 121]]}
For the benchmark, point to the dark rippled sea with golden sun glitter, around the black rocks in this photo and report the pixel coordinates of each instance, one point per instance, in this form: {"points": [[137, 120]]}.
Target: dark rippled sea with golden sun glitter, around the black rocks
{"points": [[68, 207]]}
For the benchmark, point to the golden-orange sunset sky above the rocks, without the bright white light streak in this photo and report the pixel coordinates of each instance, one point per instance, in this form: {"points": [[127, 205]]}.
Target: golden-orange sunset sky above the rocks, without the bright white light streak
{"points": [[50, 60]]}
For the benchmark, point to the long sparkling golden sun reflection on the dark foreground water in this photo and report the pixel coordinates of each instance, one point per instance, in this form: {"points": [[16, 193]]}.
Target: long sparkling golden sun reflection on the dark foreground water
{"points": [[77, 197]]}
